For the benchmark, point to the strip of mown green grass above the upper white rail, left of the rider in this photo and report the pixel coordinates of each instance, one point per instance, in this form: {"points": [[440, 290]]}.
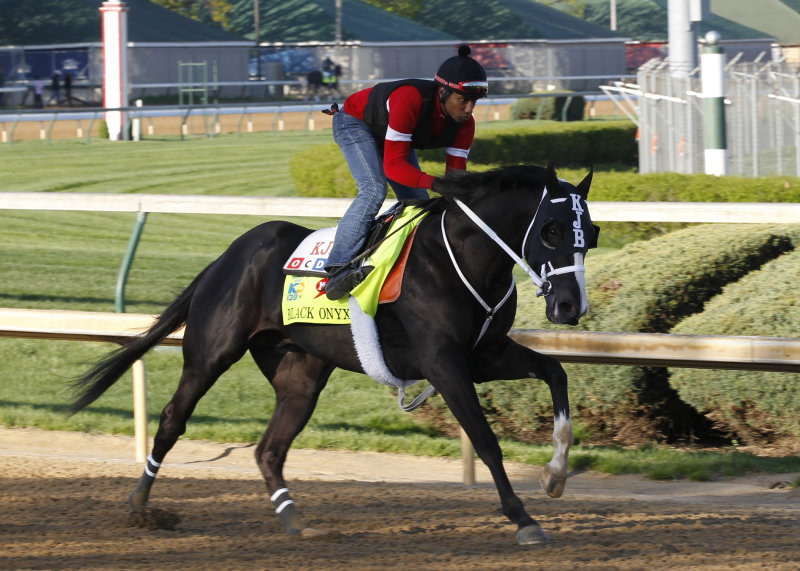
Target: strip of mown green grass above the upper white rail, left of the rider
{"points": [[256, 164]]}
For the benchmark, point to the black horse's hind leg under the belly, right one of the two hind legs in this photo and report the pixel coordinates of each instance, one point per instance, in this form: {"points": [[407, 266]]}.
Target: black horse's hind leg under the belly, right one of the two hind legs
{"points": [[298, 379]]}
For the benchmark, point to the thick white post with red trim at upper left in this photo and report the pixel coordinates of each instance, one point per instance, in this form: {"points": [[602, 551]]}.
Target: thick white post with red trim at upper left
{"points": [[115, 66]]}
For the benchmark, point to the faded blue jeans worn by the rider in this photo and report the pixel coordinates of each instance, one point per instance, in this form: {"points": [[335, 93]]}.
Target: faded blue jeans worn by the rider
{"points": [[365, 161]]}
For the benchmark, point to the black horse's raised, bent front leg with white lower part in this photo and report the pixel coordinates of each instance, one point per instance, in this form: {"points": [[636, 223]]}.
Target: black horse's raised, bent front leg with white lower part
{"points": [[510, 360]]}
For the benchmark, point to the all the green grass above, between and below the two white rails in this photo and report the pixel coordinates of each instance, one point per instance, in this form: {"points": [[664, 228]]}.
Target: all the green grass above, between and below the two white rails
{"points": [[69, 260]]}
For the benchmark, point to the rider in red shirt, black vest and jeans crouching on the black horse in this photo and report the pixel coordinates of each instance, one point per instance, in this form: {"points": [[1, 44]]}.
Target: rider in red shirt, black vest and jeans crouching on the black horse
{"points": [[378, 130]]}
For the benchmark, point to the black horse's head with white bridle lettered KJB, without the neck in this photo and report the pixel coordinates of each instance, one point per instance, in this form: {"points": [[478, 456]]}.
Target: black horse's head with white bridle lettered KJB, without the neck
{"points": [[556, 243]]}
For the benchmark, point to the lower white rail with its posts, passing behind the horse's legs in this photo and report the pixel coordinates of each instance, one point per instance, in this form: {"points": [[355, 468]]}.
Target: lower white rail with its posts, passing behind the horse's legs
{"points": [[748, 353]]}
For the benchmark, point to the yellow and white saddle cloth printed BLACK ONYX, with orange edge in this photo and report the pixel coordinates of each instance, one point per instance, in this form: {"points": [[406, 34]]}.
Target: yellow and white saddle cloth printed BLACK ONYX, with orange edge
{"points": [[304, 299]]}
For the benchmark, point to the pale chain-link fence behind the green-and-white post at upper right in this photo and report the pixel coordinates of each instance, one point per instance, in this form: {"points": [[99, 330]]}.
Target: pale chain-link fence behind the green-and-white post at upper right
{"points": [[762, 113]]}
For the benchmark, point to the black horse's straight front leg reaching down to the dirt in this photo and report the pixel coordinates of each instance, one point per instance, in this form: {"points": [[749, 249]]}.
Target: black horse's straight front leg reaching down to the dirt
{"points": [[453, 381]]}
